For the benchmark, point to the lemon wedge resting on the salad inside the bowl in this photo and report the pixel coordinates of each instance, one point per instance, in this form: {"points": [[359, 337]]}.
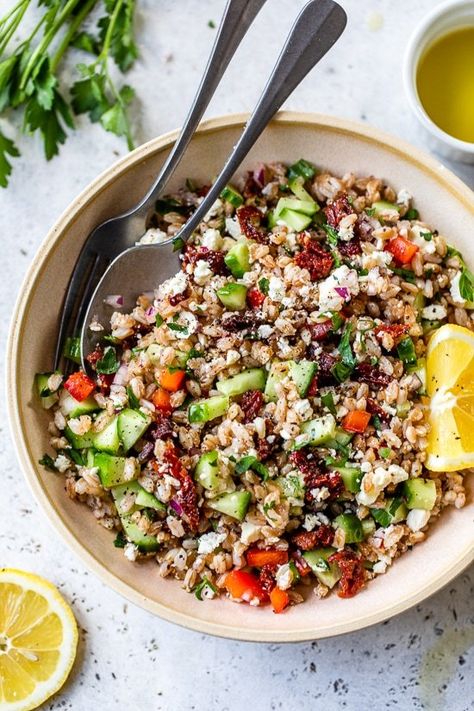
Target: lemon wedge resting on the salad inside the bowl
{"points": [[450, 385]]}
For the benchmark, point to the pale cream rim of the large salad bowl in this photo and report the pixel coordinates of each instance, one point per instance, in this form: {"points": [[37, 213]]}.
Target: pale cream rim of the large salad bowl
{"points": [[257, 634]]}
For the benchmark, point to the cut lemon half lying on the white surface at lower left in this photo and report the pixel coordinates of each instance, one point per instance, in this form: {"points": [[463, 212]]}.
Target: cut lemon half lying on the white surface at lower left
{"points": [[38, 640]]}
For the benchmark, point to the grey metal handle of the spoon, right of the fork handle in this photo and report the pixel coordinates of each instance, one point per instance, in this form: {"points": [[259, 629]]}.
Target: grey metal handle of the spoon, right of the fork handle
{"points": [[318, 26]]}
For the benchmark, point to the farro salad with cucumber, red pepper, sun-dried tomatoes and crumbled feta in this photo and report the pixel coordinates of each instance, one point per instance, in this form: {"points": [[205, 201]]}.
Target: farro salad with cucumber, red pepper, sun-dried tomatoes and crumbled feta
{"points": [[259, 425]]}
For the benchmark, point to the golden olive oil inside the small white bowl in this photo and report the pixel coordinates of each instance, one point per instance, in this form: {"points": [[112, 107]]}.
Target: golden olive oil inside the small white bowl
{"points": [[445, 83]]}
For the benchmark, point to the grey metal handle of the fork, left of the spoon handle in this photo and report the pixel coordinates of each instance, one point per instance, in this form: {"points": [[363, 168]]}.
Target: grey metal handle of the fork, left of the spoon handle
{"points": [[237, 18]]}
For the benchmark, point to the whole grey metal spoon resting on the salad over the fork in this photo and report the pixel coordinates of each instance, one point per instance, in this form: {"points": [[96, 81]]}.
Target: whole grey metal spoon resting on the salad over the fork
{"points": [[316, 29]]}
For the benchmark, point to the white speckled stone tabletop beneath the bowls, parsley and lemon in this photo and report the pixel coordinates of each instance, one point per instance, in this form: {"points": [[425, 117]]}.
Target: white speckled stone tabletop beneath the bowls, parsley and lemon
{"points": [[127, 658]]}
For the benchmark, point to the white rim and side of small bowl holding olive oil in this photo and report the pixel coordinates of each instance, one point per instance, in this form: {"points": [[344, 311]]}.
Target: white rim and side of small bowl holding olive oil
{"points": [[414, 51]]}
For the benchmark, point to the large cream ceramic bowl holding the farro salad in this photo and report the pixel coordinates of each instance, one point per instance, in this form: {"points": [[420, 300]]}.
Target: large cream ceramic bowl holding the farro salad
{"points": [[330, 143]]}
